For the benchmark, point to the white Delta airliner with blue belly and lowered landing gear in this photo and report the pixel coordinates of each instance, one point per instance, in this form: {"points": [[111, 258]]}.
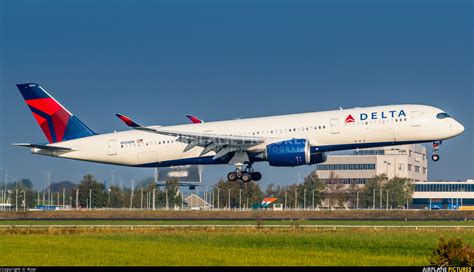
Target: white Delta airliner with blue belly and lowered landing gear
{"points": [[284, 140]]}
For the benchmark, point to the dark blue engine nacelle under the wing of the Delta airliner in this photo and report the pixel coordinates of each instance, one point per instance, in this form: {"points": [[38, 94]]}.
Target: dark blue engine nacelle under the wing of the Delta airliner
{"points": [[289, 153]]}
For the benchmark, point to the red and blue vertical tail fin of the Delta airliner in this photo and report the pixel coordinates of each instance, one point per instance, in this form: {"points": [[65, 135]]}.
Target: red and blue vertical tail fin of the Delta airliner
{"points": [[57, 123]]}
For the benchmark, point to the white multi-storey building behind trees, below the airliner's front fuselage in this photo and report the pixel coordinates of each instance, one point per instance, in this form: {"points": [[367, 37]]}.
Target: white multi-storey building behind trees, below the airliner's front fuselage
{"points": [[405, 161]]}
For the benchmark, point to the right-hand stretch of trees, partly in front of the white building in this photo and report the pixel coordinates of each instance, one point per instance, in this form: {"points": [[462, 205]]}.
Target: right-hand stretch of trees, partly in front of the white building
{"points": [[379, 192]]}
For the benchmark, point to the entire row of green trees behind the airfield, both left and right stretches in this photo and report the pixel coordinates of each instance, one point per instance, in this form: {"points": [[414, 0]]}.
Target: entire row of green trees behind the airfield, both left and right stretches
{"points": [[379, 192]]}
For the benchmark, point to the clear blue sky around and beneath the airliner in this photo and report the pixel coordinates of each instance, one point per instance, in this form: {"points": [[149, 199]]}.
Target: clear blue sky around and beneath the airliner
{"points": [[158, 60]]}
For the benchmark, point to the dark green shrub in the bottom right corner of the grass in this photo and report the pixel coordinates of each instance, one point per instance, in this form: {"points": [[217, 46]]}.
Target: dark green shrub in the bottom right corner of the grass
{"points": [[452, 252]]}
